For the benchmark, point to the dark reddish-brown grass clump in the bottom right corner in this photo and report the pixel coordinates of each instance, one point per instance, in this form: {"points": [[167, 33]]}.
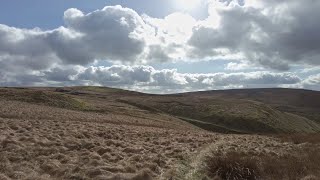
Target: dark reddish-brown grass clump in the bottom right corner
{"points": [[239, 166]]}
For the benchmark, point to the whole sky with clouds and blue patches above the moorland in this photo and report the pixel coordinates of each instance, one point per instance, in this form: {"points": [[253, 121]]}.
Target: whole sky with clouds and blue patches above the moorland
{"points": [[161, 46]]}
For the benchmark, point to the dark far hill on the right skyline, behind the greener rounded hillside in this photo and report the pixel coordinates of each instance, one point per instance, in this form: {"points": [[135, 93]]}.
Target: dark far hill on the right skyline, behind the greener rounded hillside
{"points": [[297, 101]]}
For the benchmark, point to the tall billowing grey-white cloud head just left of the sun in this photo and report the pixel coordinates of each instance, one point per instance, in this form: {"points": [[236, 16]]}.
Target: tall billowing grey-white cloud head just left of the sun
{"points": [[112, 33]]}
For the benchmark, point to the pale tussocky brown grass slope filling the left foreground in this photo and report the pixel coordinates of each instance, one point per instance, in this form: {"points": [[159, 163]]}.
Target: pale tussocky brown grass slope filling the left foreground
{"points": [[42, 142]]}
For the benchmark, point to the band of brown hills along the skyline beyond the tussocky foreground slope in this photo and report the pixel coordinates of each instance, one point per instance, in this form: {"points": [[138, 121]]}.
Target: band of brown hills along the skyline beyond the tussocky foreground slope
{"points": [[229, 111]]}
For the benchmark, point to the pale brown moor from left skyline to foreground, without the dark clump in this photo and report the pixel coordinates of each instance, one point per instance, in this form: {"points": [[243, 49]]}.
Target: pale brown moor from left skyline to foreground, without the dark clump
{"points": [[97, 133]]}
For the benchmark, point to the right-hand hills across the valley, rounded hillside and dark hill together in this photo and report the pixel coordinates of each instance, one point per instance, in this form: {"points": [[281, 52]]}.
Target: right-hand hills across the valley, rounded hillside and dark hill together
{"points": [[243, 111]]}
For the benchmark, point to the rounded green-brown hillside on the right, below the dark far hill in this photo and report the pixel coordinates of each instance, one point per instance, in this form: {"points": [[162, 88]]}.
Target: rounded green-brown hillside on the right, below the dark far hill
{"points": [[229, 114]]}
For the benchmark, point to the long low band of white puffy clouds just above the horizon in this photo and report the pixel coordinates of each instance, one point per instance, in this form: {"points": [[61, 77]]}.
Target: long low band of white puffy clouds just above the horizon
{"points": [[146, 77]]}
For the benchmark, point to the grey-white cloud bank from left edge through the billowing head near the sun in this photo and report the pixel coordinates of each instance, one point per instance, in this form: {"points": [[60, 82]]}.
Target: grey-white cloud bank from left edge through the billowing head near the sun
{"points": [[112, 33]]}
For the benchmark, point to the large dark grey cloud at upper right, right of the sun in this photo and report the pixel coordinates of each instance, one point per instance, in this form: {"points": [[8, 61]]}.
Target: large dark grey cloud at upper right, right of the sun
{"points": [[276, 35]]}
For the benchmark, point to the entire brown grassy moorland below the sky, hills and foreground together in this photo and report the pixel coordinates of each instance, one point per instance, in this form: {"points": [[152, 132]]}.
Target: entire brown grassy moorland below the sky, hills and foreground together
{"points": [[106, 133]]}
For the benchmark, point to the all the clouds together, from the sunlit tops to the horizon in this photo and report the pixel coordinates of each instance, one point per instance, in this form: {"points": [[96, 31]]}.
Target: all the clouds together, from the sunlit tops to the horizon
{"points": [[272, 34]]}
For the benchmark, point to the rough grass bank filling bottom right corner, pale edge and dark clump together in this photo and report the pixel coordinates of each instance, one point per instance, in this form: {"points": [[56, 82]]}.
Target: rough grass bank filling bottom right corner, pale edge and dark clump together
{"points": [[253, 157]]}
